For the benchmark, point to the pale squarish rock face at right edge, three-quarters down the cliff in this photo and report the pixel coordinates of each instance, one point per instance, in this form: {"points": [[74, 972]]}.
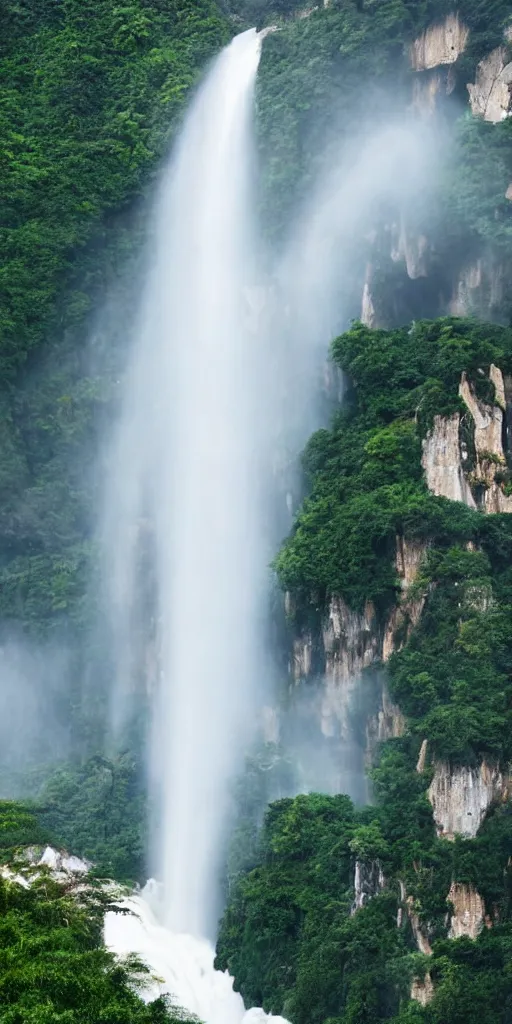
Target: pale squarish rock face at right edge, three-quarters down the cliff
{"points": [[461, 797]]}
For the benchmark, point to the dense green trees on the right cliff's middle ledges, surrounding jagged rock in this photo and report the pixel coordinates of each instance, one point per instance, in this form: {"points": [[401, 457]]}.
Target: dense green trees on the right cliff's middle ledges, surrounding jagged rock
{"points": [[453, 677]]}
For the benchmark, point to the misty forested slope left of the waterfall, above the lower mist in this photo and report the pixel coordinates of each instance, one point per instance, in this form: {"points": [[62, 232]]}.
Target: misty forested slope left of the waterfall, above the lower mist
{"points": [[93, 96]]}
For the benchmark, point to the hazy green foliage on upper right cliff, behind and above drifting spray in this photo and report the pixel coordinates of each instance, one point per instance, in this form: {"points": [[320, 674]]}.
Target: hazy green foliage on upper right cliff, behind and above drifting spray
{"points": [[326, 77]]}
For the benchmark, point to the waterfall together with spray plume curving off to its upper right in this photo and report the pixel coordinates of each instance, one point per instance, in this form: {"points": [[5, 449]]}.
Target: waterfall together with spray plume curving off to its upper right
{"points": [[207, 407]]}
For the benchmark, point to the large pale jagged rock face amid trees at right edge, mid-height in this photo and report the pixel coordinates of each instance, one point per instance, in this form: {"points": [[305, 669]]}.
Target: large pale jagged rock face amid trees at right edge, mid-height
{"points": [[446, 460]]}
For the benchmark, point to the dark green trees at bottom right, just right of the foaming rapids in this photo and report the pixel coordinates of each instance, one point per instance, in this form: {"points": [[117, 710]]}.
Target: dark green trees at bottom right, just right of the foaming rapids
{"points": [[289, 938]]}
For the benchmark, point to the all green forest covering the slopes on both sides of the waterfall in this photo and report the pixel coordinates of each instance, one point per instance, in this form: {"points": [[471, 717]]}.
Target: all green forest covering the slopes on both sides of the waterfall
{"points": [[94, 94]]}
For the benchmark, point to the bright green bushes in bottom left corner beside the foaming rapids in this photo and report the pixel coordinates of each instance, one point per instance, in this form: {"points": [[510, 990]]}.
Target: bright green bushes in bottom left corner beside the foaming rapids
{"points": [[54, 965]]}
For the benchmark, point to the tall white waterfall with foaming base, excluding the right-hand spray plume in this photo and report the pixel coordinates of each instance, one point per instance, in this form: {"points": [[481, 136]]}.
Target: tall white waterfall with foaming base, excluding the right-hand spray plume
{"points": [[184, 488]]}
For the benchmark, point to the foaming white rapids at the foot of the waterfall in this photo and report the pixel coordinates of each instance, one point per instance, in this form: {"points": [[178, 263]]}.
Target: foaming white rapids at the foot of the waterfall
{"points": [[181, 966]]}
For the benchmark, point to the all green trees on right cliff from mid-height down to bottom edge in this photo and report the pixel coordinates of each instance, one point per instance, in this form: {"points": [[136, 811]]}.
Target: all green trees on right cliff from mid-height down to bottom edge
{"points": [[288, 934]]}
